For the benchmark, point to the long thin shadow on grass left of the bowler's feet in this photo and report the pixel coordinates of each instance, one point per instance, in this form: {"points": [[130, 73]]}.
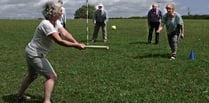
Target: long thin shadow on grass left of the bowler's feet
{"points": [[151, 56]]}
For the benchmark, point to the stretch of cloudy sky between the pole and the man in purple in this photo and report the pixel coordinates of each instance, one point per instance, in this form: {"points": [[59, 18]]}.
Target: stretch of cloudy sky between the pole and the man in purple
{"points": [[123, 8]]}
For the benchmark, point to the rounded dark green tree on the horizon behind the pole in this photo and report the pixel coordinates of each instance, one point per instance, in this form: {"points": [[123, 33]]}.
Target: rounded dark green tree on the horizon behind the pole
{"points": [[81, 12]]}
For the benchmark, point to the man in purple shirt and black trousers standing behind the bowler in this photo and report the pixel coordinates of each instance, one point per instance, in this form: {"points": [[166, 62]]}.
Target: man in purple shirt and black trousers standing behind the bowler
{"points": [[154, 17]]}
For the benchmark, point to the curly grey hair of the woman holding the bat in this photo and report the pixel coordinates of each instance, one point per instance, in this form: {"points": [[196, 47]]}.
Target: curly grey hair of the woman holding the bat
{"points": [[50, 9]]}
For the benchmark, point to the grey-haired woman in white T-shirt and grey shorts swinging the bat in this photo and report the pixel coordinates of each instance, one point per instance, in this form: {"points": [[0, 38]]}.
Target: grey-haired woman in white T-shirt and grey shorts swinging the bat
{"points": [[46, 33]]}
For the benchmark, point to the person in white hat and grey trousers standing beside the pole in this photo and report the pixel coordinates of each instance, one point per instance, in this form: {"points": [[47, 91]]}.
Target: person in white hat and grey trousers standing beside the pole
{"points": [[100, 19]]}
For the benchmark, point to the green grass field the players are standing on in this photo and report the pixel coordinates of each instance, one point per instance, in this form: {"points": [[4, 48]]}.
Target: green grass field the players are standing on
{"points": [[130, 72]]}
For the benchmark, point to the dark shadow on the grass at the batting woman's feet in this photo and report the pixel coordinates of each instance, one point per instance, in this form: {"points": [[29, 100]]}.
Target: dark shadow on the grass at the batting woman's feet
{"points": [[12, 99]]}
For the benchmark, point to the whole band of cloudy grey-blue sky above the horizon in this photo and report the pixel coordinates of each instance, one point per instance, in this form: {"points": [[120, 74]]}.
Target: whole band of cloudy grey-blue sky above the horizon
{"points": [[115, 8]]}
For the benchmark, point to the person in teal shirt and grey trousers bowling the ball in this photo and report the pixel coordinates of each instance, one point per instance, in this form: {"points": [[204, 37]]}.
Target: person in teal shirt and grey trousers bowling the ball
{"points": [[174, 27]]}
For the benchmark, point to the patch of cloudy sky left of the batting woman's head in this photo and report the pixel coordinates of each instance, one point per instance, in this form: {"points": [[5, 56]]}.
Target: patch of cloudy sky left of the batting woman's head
{"points": [[18, 9]]}
